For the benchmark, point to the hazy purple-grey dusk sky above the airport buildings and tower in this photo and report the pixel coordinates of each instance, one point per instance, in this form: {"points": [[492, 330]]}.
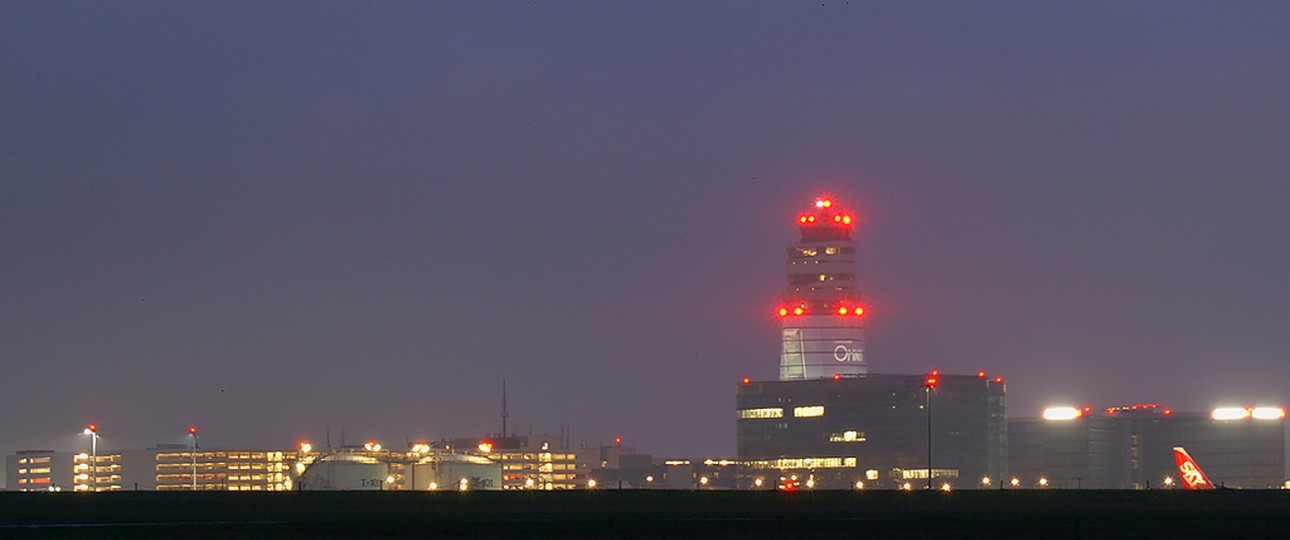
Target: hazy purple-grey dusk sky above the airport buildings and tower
{"points": [[273, 220]]}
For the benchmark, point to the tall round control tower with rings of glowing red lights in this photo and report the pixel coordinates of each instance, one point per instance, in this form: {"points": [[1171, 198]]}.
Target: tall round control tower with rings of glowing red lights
{"points": [[821, 315]]}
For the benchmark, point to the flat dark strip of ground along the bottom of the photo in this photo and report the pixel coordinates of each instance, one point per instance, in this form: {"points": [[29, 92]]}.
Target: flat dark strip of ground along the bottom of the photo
{"points": [[715, 515]]}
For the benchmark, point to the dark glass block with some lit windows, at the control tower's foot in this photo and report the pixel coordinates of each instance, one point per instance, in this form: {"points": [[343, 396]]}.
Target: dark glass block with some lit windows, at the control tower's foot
{"points": [[871, 430]]}
